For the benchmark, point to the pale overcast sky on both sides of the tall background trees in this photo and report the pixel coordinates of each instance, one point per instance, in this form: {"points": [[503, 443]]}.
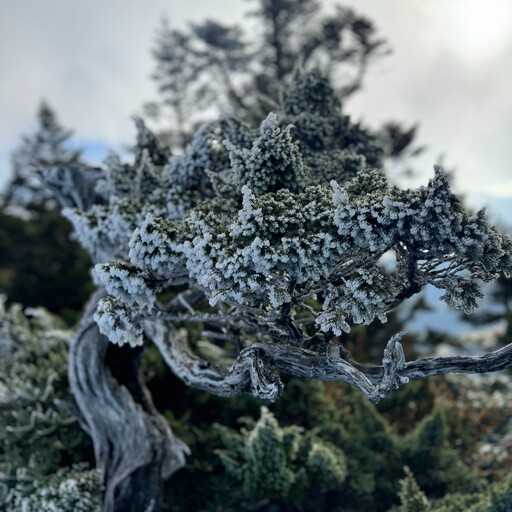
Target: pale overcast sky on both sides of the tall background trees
{"points": [[450, 71]]}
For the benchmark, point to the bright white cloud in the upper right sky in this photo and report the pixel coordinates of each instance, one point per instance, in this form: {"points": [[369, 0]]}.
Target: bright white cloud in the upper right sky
{"points": [[450, 72]]}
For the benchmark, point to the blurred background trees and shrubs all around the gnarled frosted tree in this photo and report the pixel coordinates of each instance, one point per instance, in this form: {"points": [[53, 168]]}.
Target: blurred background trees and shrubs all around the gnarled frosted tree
{"points": [[442, 444]]}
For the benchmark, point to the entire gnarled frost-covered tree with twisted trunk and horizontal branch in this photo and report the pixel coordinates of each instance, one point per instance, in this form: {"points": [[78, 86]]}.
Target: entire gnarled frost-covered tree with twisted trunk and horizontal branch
{"points": [[272, 240]]}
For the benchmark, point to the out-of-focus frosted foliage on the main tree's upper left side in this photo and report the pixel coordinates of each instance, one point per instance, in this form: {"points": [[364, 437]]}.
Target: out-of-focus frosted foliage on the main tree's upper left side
{"points": [[154, 183]]}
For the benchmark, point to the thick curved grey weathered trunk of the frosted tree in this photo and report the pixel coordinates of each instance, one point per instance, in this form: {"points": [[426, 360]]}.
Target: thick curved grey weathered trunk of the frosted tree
{"points": [[134, 446]]}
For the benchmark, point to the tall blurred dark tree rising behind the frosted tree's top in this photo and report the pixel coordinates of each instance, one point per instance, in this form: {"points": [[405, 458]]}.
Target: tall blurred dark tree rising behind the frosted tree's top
{"points": [[211, 66]]}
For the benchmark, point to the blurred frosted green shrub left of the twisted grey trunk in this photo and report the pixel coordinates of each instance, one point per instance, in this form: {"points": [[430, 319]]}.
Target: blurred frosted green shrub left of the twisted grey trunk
{"points": [[39, 430]]}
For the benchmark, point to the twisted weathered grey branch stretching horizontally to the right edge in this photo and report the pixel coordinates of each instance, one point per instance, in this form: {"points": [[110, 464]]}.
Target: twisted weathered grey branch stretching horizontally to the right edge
{"points": [[256, 370]]}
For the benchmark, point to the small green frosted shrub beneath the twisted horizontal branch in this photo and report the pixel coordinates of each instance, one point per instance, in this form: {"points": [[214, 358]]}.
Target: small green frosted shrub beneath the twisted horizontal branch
{"points": [[276, 462]]}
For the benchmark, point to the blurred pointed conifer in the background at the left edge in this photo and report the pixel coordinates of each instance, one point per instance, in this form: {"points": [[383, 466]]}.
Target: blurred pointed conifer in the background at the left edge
{"points": [[39, 263]]}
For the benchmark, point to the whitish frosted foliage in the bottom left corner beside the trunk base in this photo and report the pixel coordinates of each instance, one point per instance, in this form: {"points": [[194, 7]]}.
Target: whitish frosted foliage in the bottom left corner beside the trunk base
{"points": [[77, 489]]}
